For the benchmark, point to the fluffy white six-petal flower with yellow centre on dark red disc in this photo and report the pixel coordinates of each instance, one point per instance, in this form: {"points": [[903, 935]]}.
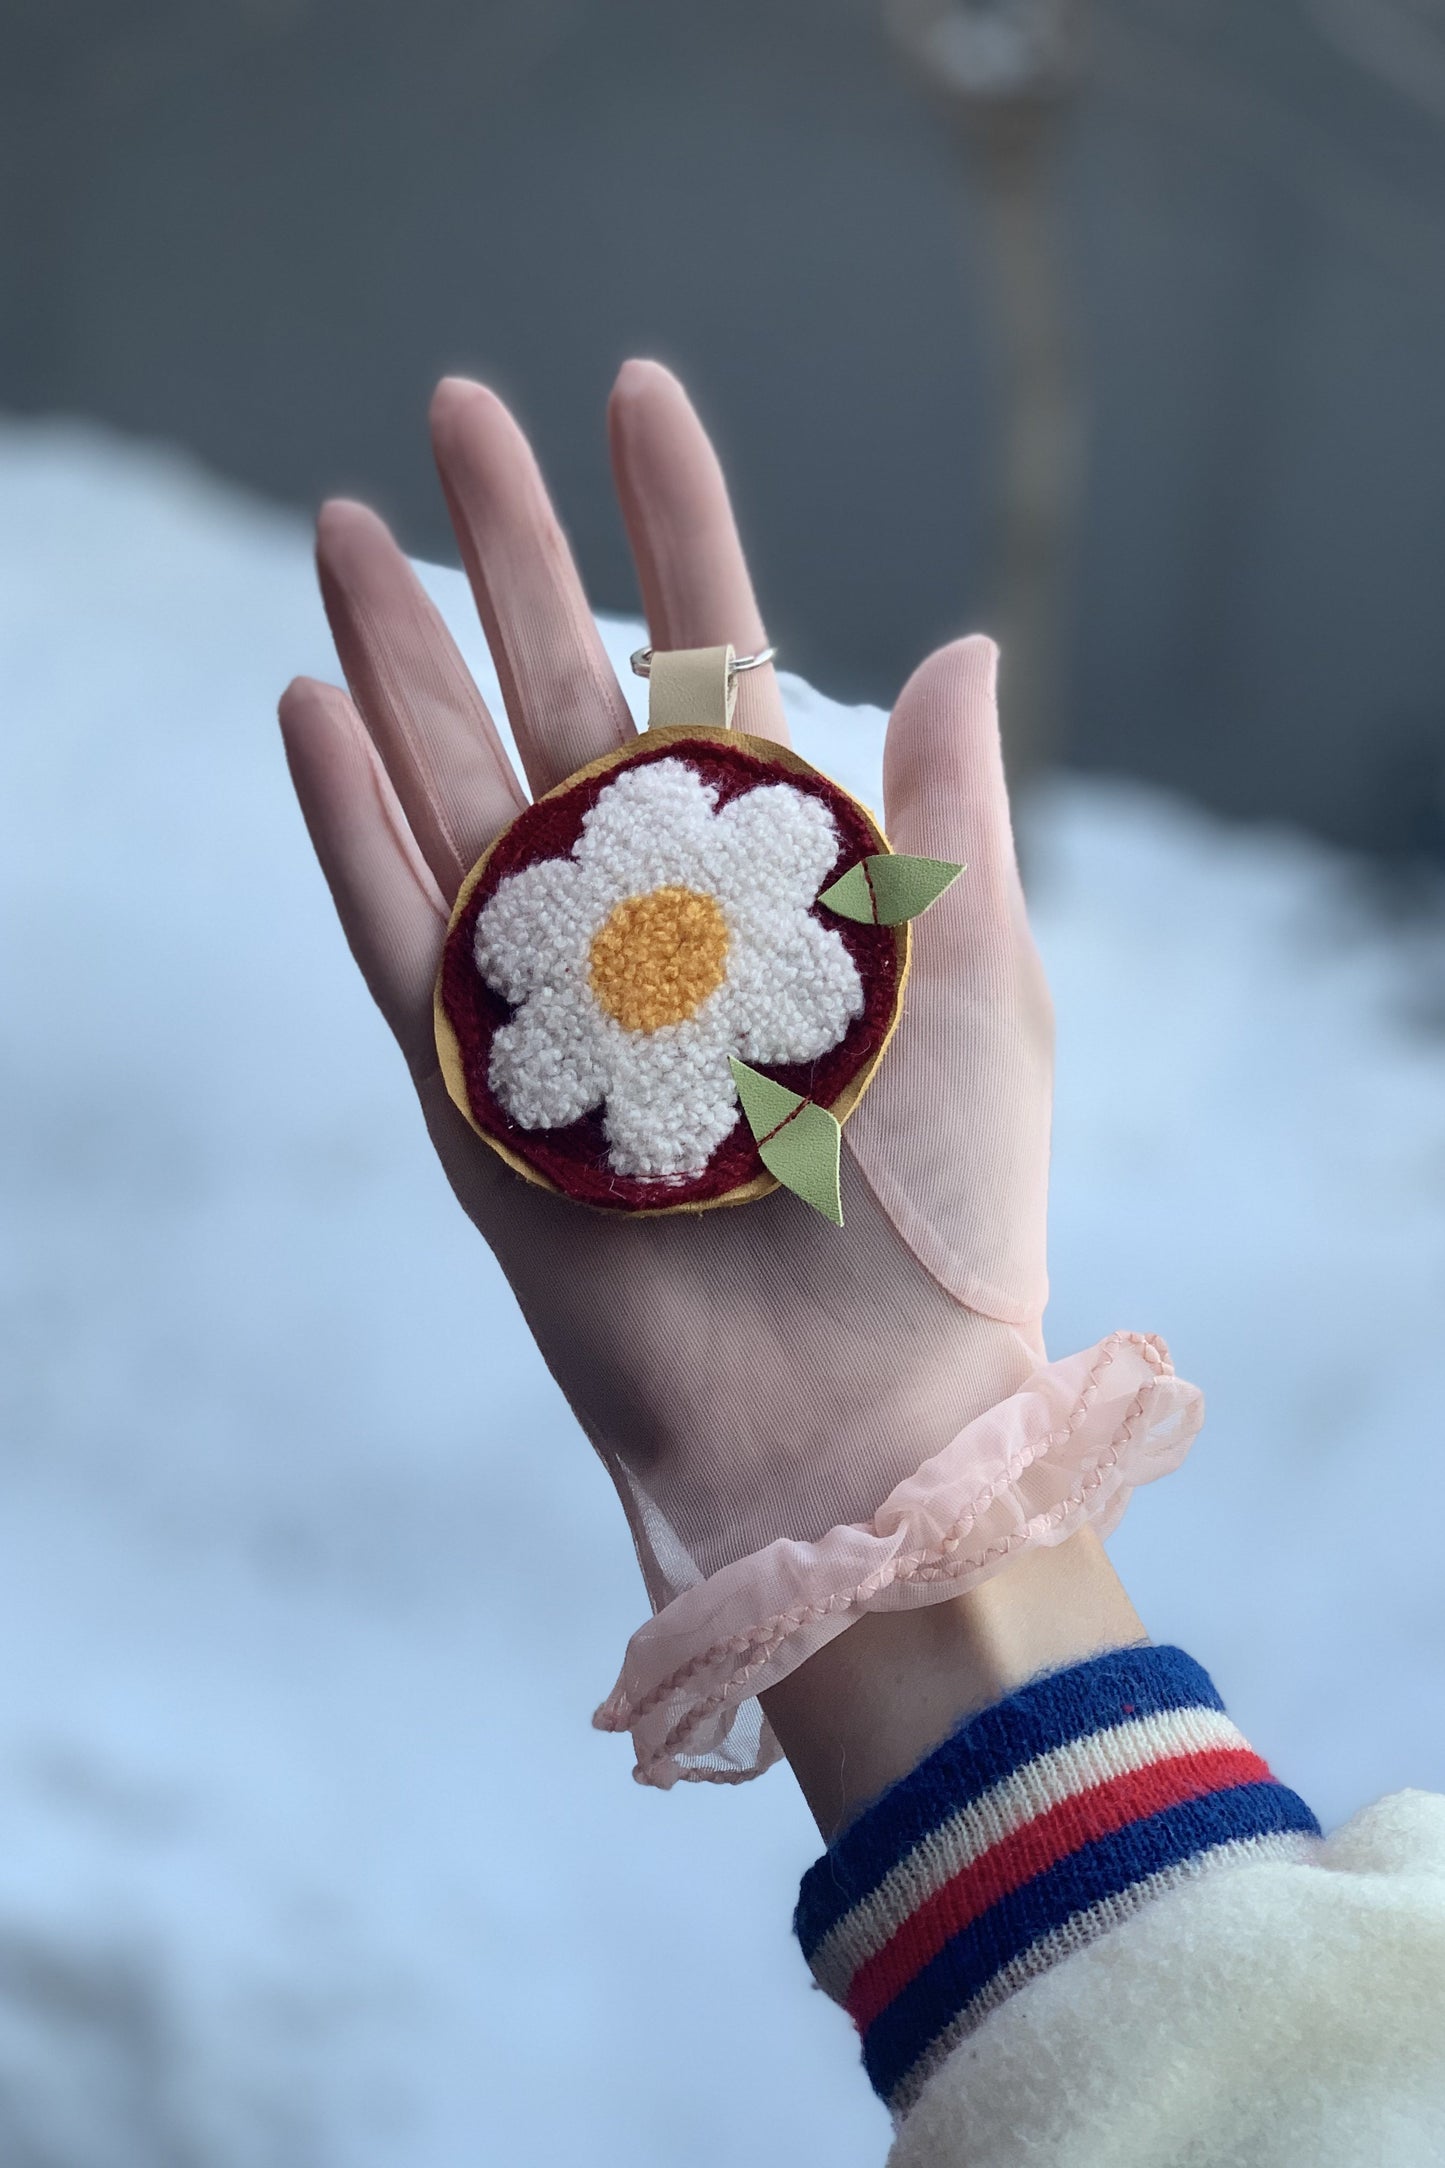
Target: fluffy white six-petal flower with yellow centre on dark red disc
{"points": [[671, 938]]}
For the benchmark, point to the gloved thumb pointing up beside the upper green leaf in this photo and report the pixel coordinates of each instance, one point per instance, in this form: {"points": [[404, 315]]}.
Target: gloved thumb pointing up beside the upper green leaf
{"points": [[946, 795]]}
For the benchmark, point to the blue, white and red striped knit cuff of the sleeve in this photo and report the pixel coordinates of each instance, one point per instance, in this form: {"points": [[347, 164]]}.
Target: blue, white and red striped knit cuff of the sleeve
{"points": [[1032, 1831]]}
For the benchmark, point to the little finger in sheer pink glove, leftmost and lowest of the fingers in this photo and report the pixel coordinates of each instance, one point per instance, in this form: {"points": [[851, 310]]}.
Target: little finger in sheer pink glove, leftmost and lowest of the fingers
{"points": [[387, 896]]}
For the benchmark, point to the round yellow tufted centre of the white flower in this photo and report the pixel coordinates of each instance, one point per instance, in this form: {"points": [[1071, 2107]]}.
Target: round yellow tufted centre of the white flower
{"points": [[660, 957]]}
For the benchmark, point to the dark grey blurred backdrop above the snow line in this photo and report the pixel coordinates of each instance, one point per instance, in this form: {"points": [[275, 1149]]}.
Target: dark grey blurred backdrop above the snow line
{"points": [[1121, 313]]}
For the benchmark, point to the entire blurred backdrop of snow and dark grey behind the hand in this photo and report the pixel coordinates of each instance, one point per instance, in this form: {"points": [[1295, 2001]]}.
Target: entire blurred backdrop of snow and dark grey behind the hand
{"points": [[1115, 328]]}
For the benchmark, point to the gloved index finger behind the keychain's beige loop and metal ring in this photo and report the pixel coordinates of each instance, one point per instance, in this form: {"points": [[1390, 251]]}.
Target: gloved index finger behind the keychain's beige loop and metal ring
{"points": [[690, 563]]}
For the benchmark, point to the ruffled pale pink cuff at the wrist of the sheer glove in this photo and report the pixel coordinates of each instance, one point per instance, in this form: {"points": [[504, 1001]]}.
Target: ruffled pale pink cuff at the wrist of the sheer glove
{"points": [[1067, 1449]]}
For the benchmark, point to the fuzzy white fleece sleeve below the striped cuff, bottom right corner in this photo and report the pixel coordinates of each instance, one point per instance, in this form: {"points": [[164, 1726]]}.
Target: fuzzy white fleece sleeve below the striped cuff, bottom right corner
{"points": [[1260, 2015]]}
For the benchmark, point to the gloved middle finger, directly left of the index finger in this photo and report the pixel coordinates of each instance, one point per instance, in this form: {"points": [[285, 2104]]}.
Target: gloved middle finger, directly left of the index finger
{"points": [[562, 697]]}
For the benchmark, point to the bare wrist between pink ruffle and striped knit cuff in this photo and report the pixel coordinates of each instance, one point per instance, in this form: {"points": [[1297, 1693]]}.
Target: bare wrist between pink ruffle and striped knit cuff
{"points": [[872, 1703]]}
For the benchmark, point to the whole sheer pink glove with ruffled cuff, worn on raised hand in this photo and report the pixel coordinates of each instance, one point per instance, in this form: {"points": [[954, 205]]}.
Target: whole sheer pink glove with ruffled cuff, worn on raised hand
{"points": [[803, 1423]]}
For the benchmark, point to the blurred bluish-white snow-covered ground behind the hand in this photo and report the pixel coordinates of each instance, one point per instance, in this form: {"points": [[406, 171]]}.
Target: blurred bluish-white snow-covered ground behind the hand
{"points": [[311, 1859]]}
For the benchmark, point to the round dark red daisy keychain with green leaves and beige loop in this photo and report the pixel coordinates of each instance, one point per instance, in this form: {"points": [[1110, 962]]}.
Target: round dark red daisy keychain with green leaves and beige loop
{"points": [[671, 981]]}
